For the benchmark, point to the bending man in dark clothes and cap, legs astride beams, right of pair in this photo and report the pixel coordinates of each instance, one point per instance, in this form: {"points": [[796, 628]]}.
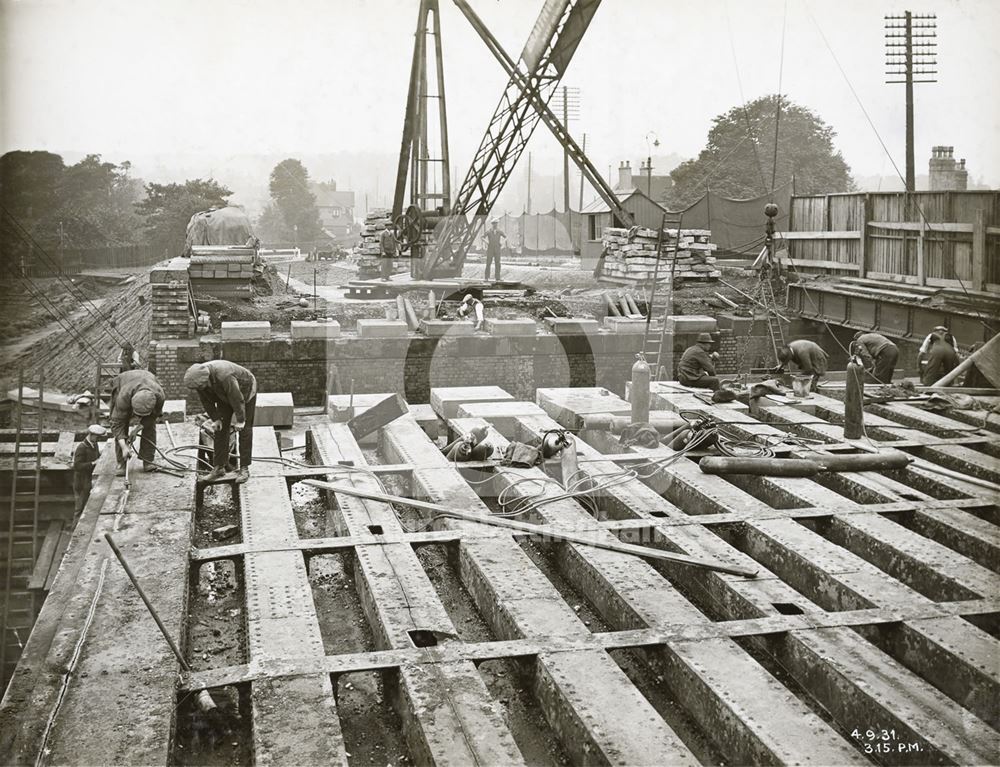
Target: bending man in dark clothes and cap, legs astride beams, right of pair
{"points": [[228, 392]]}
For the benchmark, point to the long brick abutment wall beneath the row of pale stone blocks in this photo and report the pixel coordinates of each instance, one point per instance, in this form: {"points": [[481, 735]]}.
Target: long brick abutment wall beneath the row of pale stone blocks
{"points": [[412, 365]]}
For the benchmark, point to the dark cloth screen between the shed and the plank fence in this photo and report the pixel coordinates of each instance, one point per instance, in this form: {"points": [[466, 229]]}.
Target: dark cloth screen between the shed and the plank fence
{"points": [[737, 226]]}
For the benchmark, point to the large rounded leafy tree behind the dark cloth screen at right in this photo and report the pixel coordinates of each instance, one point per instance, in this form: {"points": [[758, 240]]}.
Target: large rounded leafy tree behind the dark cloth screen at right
{"points": [[737, 161]]}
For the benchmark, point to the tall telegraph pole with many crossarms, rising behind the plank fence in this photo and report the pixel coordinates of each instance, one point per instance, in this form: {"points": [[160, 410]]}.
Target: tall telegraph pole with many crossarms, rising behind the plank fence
{"points": [[910, 52]]}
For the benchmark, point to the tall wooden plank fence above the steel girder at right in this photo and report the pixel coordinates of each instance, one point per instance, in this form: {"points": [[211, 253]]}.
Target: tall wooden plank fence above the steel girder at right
{"points": [[941, 239]]}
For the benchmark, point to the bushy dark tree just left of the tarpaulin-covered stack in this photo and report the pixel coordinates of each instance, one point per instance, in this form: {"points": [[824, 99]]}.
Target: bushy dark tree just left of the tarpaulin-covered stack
{"points": [[169, 207]]}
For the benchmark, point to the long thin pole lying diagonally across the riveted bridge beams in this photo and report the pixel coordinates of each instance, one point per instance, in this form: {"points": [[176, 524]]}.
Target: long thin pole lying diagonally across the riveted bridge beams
{"points": [[644, 552]]}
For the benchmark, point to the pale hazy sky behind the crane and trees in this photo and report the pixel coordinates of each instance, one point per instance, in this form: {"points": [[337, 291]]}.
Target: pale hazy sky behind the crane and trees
{"points": [[185, 86]]}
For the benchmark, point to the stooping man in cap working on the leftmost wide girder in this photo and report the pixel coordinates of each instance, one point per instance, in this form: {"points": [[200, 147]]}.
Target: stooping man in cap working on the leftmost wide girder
{"points": [[135, 393]]}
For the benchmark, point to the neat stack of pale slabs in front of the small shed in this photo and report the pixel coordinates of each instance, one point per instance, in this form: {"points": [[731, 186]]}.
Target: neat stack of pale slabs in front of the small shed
{"points": [[633, 258]]}
